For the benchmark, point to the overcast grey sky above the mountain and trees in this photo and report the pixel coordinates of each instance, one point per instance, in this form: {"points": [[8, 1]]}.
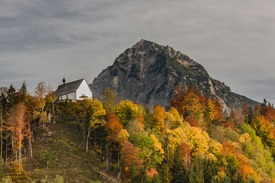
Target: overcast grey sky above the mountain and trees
{"points": [[45, 40]]}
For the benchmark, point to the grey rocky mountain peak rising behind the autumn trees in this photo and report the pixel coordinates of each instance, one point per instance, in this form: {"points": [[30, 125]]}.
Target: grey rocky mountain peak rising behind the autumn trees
{"points": [[147, 74]]}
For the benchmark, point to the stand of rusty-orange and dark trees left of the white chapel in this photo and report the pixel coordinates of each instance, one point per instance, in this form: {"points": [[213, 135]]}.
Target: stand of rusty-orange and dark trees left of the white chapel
{"points": [[21, 116]]}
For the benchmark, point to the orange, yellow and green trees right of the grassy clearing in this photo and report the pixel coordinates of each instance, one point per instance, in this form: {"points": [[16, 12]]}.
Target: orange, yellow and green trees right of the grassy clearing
{"points": [[192, 141]]}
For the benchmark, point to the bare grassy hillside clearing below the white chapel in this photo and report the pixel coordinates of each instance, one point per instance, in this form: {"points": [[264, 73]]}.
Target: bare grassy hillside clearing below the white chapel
{"points": [[71, 162]]}
